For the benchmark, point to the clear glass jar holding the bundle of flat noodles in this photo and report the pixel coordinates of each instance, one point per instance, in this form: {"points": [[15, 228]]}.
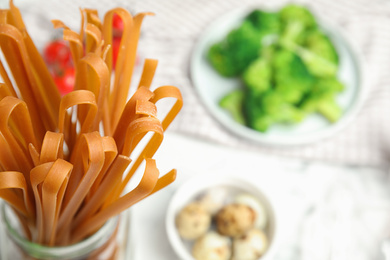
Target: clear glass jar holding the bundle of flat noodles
{"points": [[111, 241]]}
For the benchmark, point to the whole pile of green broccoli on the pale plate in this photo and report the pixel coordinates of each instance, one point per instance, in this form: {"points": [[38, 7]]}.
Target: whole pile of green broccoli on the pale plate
{"points": [[288, 67]]}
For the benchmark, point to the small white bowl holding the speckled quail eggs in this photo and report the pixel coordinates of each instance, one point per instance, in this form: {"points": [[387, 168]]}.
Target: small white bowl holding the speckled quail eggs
{"points": [[201, 183]]}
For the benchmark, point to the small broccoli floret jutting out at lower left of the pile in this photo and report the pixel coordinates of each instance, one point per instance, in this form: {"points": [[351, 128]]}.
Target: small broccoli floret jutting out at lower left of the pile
{"points": [[233, 102]]}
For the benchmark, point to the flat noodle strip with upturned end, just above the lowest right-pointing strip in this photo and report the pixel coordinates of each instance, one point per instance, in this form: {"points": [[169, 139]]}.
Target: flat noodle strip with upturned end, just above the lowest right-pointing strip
{"points": [[145, 187]]}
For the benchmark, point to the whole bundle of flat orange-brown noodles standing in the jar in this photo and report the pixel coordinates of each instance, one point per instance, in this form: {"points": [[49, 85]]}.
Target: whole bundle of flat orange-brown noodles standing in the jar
{"points": [[65, 162]]}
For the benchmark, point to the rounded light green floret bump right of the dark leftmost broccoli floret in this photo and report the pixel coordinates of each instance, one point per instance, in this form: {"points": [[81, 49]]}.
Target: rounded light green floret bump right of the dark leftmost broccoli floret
{"points": [[258, 75]]}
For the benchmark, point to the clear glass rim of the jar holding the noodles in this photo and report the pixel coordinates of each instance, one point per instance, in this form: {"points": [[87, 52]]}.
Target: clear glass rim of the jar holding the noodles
{"points": [[76, 250]]}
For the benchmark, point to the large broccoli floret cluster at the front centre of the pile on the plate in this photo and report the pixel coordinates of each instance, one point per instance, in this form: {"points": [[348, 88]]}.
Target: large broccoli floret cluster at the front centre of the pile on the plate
{"points": [[275, 82]]}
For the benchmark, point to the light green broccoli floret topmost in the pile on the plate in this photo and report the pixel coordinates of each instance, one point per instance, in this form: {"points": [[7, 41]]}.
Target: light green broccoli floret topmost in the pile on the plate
{"points": [[296, 20]]}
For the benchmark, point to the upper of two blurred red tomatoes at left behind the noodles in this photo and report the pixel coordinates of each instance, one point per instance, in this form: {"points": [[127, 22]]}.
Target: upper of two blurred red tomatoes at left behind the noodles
{"points": [[57, 53]]}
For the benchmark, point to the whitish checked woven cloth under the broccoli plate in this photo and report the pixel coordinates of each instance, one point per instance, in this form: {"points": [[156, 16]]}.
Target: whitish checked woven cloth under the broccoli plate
{"points": [[171, 35]]}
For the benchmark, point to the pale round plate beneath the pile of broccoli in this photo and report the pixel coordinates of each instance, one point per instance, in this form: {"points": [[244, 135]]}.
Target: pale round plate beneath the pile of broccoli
{"points": [[211, 87]]}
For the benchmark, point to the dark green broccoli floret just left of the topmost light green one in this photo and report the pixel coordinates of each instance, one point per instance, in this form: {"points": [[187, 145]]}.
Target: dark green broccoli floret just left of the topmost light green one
{"points": [[266, 22]]}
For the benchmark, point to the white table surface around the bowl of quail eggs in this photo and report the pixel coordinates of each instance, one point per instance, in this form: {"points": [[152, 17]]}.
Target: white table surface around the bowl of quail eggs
{"points": [[327, 211]]}
